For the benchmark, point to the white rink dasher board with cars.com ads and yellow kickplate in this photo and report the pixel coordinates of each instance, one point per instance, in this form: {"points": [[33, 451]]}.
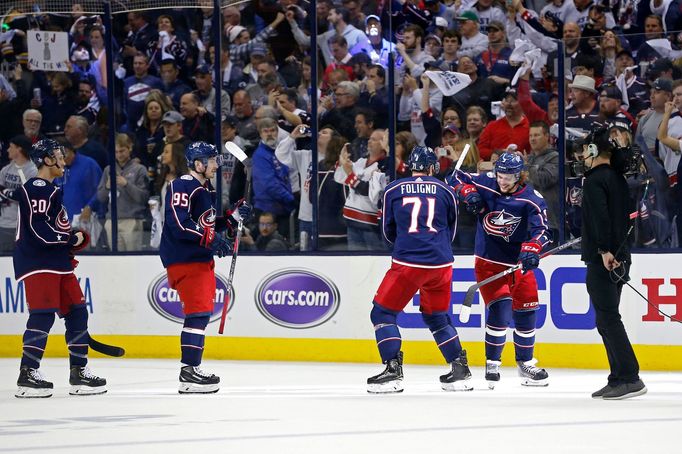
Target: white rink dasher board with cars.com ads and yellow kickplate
{"points": [[316, 308]]}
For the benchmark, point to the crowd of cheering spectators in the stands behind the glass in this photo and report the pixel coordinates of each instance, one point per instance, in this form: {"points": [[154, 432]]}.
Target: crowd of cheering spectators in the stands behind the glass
{"points": [[622, 68]]}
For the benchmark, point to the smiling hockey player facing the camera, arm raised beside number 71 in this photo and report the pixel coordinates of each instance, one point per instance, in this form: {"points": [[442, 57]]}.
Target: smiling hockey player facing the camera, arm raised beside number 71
{"points": [[512, 228]]}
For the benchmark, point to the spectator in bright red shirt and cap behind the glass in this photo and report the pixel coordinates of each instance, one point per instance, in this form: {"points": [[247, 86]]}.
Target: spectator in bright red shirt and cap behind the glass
{"points": [[512, 128]]}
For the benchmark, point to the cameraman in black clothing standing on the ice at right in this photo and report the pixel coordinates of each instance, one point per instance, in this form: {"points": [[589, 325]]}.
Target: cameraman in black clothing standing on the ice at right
{"points": [[606, 251]]}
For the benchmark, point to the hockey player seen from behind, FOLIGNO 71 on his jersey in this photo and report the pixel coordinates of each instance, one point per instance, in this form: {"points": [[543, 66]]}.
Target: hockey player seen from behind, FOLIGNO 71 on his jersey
{"points": [[419, 220]]}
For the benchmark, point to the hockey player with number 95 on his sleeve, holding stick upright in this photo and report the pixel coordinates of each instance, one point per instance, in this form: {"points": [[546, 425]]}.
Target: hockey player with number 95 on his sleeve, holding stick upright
{"points": [[188, 243]]}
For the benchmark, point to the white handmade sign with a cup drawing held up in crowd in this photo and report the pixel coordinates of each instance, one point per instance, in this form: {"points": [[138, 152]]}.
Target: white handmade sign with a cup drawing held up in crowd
{"points": [[48, 51]]}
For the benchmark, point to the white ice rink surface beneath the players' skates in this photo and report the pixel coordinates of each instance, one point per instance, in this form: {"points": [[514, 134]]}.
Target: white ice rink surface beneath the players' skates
{"points": [[298, 408]]}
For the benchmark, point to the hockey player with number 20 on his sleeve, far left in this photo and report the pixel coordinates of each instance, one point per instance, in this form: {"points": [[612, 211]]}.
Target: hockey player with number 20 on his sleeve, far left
{"points": [[43, 259]]}
